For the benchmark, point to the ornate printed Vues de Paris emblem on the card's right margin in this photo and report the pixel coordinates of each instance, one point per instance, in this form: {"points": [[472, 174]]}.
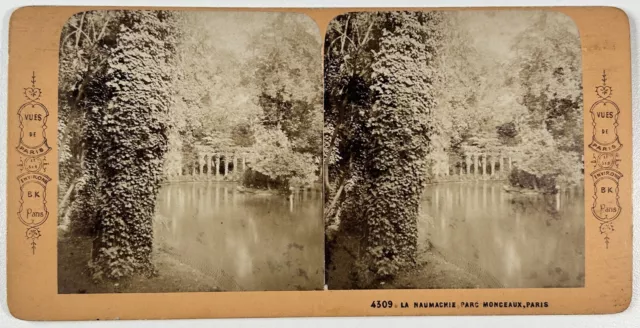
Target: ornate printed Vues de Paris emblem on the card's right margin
{"points": [[605, 143]]}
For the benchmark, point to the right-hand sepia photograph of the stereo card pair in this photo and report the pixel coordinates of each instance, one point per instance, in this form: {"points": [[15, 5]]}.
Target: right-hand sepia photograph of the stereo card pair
{"points": [[453, 150]]}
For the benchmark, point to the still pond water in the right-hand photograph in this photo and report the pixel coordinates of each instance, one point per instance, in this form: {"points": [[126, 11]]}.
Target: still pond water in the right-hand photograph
{"points": [[514, 240]]}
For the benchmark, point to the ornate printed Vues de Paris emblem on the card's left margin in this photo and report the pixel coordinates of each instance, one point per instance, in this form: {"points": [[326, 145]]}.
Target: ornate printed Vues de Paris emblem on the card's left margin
{"points": [[33, 148]]}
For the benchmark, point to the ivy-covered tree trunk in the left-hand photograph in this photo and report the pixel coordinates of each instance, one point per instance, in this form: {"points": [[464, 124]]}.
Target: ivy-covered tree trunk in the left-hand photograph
{"points": [[133, 143]]}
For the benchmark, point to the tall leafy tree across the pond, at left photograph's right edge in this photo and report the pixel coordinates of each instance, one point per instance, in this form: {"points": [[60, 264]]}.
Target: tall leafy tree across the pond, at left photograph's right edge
{"points": [[288, 77]]}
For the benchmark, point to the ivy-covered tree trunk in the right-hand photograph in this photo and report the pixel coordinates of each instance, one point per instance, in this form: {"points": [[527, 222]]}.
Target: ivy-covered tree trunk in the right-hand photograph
{"points": [[398, 128]]}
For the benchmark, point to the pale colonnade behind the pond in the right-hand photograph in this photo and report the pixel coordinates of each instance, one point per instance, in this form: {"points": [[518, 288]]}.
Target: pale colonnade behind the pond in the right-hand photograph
{"points": [[476, 165]]}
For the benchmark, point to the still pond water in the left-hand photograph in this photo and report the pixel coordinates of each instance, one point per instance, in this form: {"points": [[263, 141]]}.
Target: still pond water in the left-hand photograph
{"points": [[244, 241]]}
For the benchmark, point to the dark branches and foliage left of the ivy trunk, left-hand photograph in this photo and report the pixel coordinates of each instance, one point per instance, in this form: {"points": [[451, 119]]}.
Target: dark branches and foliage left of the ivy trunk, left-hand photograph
{"points": [[85, 46]]}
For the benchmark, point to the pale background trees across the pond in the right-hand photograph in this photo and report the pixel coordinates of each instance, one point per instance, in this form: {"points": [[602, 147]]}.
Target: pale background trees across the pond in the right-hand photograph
{"points": [[519, 96]]}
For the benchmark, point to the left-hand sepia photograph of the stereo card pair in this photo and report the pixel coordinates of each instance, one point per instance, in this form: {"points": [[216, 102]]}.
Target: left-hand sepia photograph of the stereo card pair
{"points": [[190, 152]]}
